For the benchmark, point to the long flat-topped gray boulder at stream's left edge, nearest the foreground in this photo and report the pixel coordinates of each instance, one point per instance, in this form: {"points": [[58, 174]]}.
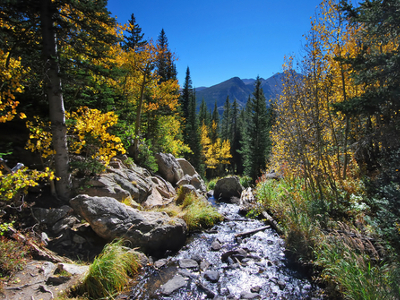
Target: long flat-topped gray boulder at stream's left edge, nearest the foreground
{"points": [[151, 232]]}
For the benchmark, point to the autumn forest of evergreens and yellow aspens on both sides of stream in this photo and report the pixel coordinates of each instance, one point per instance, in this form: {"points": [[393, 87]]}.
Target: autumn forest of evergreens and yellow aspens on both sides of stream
{"points": [[84, 85]]}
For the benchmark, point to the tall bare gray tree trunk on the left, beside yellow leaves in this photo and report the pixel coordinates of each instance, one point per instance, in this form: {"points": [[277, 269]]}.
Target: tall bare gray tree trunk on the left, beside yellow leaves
{"points": [[56, 102]]}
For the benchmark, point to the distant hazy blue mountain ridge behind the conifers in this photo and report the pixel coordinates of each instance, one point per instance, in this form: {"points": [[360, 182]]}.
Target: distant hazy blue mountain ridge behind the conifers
{"points": [[239, 89]]}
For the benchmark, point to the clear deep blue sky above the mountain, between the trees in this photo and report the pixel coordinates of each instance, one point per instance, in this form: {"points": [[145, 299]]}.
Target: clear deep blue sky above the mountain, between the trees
{"points": [[221, 39]]}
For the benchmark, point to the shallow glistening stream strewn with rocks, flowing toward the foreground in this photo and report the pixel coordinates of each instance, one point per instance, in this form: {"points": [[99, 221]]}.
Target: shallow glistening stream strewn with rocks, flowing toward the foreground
{"points": [[217, 265]]}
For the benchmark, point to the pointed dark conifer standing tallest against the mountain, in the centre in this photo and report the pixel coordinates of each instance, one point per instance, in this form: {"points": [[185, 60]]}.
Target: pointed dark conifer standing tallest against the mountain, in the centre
{"points": [[255, 144]]}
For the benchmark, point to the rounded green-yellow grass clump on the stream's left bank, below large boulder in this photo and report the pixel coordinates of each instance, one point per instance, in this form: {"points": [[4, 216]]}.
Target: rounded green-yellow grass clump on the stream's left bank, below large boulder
{"points": [[109, 272]]}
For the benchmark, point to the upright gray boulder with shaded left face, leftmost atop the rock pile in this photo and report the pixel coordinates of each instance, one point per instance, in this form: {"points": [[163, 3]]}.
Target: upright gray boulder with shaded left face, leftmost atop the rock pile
{"points": [[169, 168]]}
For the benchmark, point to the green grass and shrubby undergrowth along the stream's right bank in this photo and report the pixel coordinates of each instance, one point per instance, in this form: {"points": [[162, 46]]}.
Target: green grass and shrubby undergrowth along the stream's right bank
{"points": [[338, 237]]}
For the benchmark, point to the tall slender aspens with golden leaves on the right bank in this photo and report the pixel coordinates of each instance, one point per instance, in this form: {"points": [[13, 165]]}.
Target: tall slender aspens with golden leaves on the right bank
{"points": [[309, 138]]}
